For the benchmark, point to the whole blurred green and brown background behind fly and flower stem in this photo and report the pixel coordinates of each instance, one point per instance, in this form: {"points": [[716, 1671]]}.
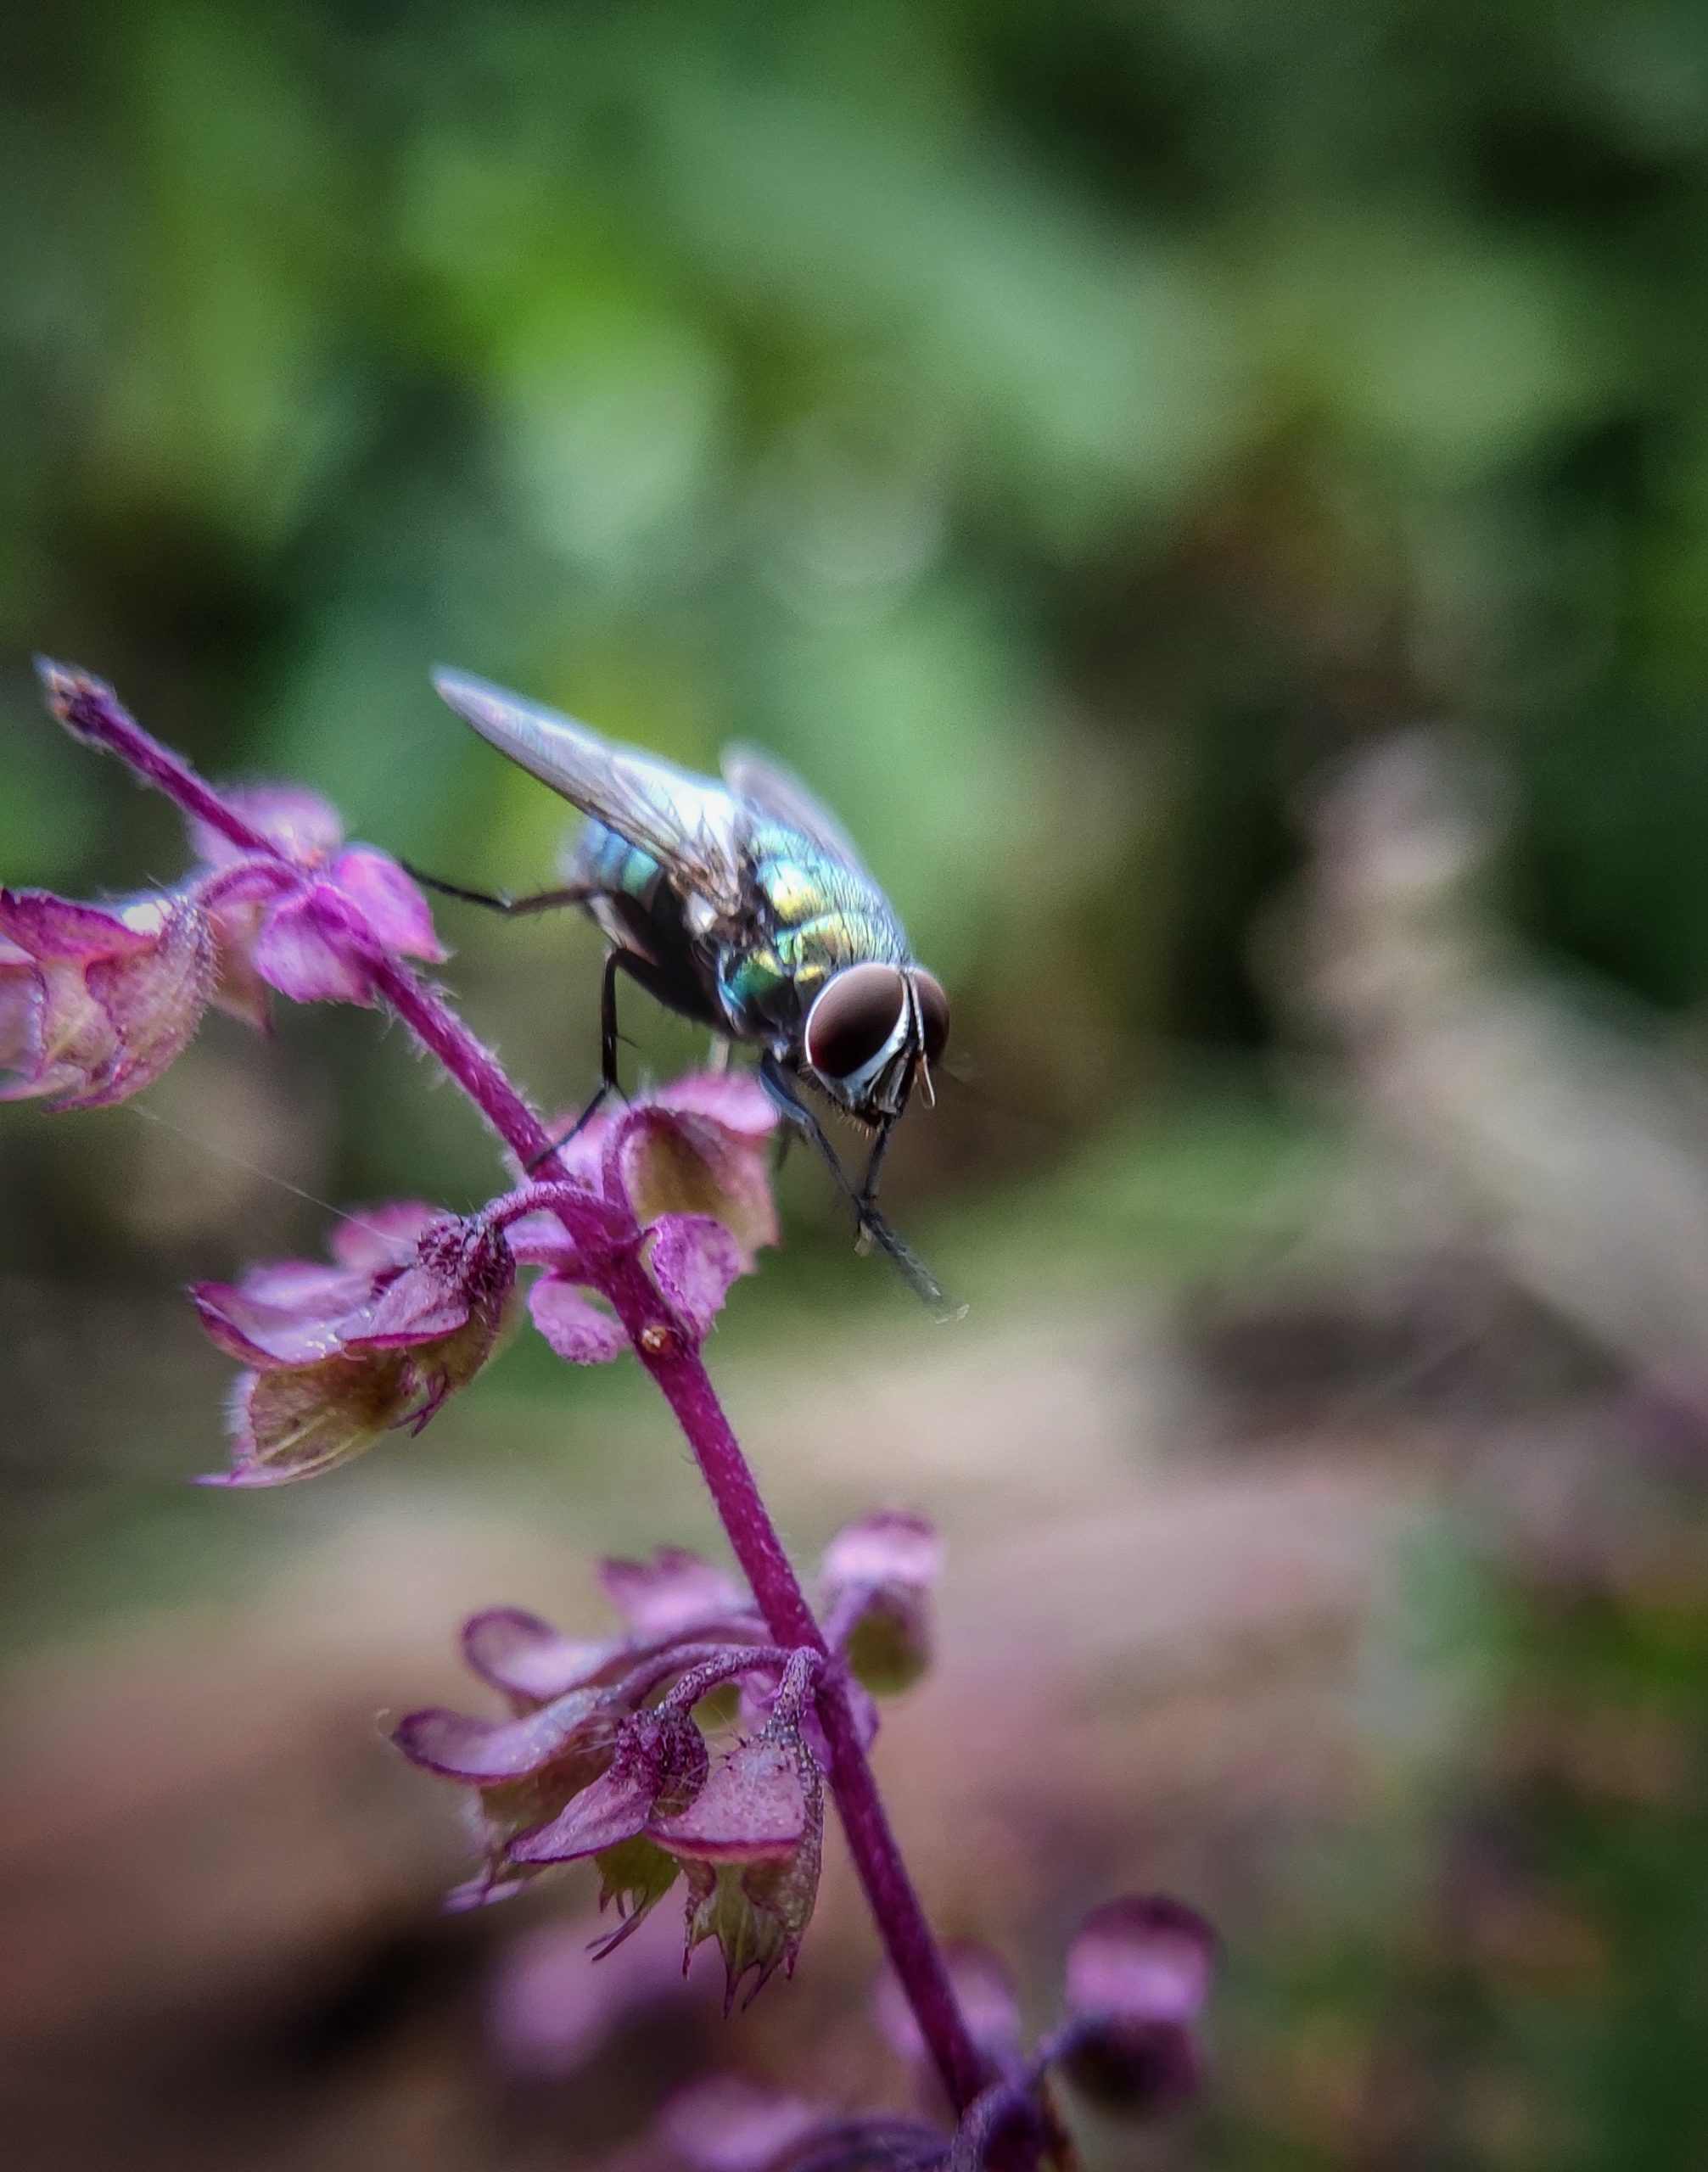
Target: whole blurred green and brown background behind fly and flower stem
{"points": [[1218, 496]]}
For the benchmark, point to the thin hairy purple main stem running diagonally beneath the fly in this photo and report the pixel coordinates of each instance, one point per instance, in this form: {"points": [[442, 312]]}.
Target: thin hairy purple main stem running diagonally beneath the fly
{"points": [[90, 709]]}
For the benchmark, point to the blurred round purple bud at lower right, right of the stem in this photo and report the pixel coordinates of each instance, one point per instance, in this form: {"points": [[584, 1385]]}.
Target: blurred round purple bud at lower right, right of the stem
{"points": [[1138, 1978]]}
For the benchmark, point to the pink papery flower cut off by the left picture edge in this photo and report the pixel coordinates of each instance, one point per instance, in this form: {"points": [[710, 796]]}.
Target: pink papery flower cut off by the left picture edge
{"points": [[99, 1000]]}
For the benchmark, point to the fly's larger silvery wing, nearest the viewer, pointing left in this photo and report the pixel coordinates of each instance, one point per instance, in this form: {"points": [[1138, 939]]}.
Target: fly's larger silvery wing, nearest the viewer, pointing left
{"points": [[686, 822]]}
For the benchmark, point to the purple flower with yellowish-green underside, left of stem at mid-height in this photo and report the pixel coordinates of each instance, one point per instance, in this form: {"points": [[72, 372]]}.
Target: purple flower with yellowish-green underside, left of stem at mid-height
{"points": [[342, 1354]]}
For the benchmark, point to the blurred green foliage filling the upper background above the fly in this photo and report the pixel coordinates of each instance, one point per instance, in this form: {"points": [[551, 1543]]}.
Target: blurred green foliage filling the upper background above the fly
{"points": [[1055, 429]]}
